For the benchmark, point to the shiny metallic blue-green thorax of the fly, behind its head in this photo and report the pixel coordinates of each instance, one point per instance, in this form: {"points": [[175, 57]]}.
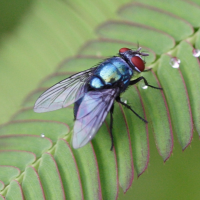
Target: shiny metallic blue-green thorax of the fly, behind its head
{"points": [[112, 71]]}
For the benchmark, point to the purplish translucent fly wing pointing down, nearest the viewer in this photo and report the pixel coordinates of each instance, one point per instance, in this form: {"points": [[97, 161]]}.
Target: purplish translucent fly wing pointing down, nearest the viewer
{"points": [[91, 114]]}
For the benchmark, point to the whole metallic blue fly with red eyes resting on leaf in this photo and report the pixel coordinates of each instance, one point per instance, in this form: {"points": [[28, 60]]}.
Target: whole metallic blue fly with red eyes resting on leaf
{"points": [[93, 93]]}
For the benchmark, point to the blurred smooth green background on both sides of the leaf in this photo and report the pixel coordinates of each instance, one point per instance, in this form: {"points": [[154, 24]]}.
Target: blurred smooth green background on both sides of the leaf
{"points": [[32, 44]]}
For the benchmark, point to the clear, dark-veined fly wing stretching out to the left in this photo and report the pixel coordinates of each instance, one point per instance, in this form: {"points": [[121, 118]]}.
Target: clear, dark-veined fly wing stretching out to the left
{"points": [[64, 93]]}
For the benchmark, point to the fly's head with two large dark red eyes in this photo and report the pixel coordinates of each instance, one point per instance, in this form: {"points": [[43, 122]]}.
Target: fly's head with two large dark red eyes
{"points": [[133, 58]]}
